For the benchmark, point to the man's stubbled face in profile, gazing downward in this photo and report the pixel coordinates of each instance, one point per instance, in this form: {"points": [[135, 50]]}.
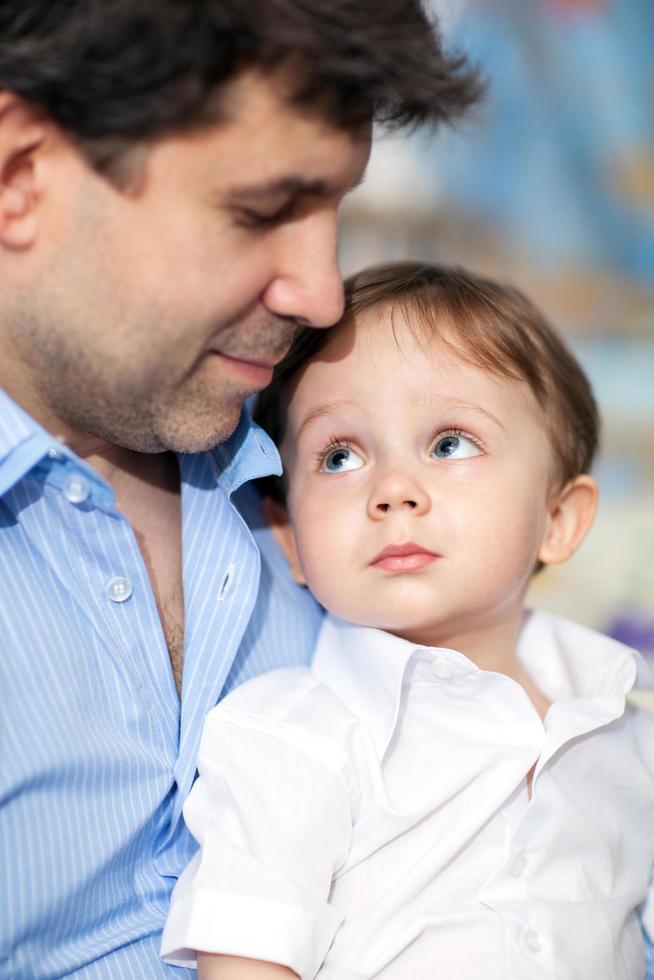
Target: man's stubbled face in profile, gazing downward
{"points": [[152, 314]]}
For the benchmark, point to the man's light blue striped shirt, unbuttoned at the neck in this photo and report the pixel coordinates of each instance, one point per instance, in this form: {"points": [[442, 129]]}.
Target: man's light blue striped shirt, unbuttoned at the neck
{"points": [[96, 755]]}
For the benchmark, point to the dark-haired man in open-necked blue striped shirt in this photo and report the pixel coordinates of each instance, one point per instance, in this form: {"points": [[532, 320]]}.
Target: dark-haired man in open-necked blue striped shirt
{"points": [[170, 172]]}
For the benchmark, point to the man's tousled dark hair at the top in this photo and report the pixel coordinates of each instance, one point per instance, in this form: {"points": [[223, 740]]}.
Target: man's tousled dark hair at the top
{"points": [[112, 73]]}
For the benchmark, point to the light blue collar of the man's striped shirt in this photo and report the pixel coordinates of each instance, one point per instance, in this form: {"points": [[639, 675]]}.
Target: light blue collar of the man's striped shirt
{"points": [[247, 455]]}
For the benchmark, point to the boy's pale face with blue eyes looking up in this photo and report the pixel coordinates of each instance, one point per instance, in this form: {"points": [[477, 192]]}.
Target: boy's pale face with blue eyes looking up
{"points": [[418, 485]]}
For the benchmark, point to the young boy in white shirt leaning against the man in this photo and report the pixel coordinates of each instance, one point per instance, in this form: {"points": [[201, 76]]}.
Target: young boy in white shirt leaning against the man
{"points": [[456, 788]]}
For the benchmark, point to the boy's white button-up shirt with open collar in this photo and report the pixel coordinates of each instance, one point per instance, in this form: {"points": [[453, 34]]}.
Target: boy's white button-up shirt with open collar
{"points": [[370, 817]]}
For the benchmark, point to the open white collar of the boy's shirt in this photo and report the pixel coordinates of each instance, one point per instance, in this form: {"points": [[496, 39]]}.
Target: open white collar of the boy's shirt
{"points": [[366, 667]]}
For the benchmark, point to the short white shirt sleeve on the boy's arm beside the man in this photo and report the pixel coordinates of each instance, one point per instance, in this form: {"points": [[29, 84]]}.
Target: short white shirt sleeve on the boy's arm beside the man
{"points": [[271, 810]]}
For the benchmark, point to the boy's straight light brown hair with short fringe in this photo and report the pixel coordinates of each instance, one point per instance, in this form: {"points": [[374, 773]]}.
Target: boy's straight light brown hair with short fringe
{"points": [[489, 324]]}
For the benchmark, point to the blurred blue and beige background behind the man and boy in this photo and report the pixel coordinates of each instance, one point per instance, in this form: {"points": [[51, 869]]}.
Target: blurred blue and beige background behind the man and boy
{"points": [[550, 185]]}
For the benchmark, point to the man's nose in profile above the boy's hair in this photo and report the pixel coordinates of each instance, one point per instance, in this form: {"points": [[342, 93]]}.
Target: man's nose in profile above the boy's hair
{"points": [[307, 283]]}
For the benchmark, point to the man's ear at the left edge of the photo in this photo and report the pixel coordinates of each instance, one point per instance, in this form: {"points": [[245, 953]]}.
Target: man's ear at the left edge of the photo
{"points": [[22, 133]]}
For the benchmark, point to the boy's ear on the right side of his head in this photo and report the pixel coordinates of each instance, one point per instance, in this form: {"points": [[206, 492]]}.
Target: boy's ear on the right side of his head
{"points": [[570, 515]]}
